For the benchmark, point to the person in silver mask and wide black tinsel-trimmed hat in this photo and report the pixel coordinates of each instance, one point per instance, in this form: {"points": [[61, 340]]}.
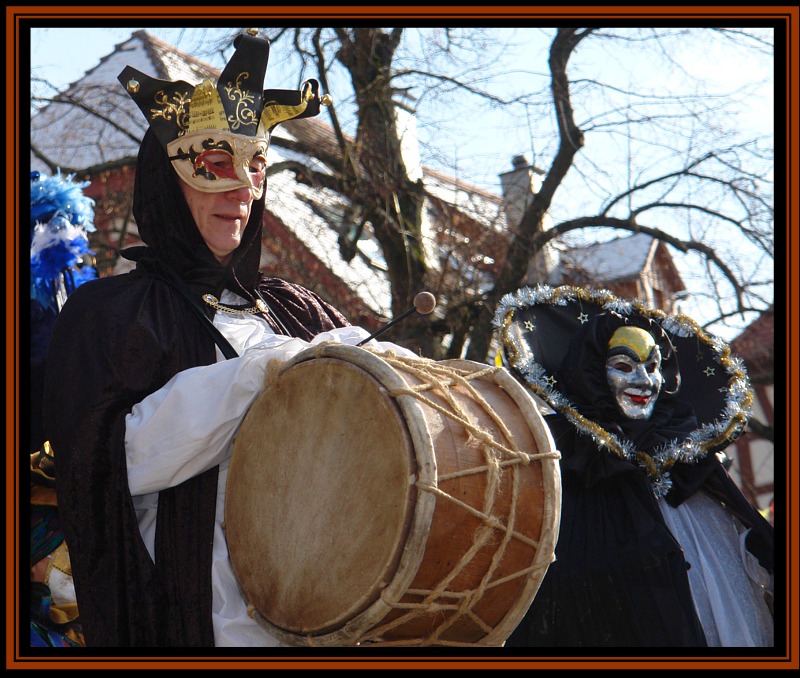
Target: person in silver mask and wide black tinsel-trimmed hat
{"points": [[657, 546]]}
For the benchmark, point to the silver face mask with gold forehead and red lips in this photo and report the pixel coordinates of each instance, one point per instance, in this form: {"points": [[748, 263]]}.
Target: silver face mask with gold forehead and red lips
{"points": [[633, 370]]}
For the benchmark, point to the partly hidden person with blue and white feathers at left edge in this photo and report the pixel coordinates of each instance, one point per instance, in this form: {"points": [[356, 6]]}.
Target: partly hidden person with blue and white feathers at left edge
{"points": [[61, 220]]}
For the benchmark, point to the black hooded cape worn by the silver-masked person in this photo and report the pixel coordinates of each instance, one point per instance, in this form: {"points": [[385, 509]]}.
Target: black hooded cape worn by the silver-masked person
{"points": [[620, 578]]}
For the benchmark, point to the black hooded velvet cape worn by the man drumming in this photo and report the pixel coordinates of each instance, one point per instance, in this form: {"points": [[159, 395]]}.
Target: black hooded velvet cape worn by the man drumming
{"points": [[117, 340]]}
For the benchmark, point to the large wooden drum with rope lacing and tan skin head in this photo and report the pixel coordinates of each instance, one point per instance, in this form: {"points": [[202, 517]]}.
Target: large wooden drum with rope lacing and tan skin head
{"points": [[377, 500]]}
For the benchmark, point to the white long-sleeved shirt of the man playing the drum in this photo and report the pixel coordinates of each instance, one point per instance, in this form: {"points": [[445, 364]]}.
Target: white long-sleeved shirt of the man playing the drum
{"points": [[188, 426]]}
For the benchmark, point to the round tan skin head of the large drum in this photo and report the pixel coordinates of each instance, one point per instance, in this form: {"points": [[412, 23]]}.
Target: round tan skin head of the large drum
{"points": [[320, 494]]}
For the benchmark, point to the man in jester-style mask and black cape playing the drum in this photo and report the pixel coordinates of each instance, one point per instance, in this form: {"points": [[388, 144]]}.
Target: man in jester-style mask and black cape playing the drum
{"points": [[150, 372]]}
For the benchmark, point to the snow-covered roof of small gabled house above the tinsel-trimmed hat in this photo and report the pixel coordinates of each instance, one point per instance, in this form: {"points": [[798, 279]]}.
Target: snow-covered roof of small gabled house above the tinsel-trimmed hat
{"points": [[612, 260]]}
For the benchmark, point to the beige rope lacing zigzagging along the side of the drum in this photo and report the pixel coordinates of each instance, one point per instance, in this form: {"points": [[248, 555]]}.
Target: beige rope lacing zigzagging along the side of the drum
{"points": [[440, 379]]}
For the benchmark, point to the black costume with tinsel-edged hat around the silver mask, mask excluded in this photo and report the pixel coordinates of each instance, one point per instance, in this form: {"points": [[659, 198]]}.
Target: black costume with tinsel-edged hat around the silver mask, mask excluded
{"points": [[620, 576]]}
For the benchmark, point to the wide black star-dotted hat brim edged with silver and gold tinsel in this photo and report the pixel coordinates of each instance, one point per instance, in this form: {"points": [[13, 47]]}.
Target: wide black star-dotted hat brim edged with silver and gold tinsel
{"points": [[716, 385]]}
